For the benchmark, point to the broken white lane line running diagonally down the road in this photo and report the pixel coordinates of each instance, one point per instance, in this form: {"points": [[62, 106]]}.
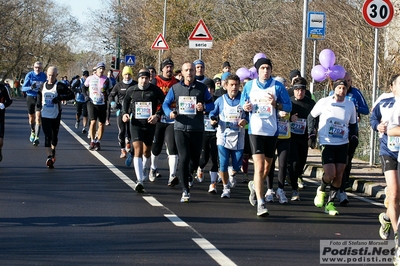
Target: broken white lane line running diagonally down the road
{"points": [[203, 243]]}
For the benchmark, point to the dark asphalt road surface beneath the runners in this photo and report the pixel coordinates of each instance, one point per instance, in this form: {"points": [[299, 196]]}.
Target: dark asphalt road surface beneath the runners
{"points": [[85, 212]]}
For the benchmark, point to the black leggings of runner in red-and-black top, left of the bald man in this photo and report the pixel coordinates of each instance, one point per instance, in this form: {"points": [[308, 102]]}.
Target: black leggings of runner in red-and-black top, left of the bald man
{"points": [[164, 130]]}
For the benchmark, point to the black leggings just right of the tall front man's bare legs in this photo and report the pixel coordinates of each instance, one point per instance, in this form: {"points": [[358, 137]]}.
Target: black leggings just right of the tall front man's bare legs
{"points": [[283, 148]]}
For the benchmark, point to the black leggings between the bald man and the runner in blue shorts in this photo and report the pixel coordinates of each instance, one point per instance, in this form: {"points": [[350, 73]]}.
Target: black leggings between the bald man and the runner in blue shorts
{"points": [[209, 148]]}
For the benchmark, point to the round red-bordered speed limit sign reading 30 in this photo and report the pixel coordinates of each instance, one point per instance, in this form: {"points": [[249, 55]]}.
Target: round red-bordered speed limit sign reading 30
{"points": [[378, 13]]}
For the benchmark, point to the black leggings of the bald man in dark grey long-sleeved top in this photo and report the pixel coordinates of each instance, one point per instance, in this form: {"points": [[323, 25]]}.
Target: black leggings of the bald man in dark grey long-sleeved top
{"points": [[189, 150]]}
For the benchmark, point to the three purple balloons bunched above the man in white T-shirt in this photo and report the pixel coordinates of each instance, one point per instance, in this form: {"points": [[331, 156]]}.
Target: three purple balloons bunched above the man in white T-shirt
{"points": [[327, 69]]}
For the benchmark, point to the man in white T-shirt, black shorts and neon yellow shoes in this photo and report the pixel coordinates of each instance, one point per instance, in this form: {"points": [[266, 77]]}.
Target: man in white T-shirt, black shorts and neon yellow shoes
{"points": [[337, 121]]}
